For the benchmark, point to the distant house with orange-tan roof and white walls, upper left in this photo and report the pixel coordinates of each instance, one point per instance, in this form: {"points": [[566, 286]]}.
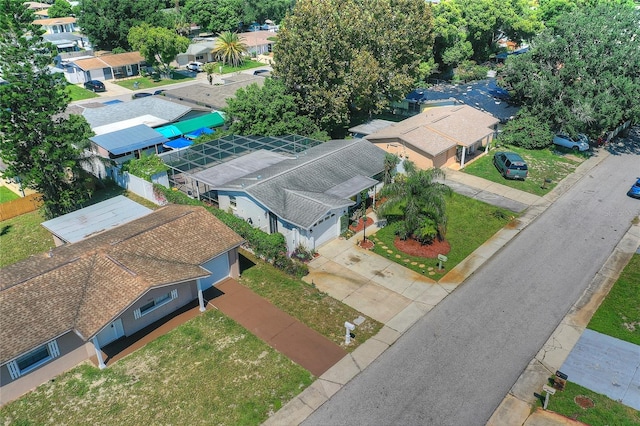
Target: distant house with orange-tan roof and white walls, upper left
{"points": [[105, 67]]}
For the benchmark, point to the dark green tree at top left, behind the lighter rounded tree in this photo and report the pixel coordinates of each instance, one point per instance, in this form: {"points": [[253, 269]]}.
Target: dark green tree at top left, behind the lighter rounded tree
{"points": [[107, 22]]}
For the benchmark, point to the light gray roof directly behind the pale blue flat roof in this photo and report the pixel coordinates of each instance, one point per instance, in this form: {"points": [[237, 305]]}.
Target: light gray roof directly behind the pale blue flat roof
{"points": [[151, 105]]}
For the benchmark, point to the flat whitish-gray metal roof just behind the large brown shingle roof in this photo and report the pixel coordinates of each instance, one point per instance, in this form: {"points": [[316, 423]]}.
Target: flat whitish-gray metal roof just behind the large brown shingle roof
{"points": [[84, 223]]}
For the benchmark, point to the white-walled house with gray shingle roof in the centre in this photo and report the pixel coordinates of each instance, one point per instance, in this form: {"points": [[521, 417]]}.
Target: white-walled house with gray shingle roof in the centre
{"points": [[306, 196]]}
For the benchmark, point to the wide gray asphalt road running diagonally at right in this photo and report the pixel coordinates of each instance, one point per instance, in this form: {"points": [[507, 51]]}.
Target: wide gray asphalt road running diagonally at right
{"points": [[456, 364]]}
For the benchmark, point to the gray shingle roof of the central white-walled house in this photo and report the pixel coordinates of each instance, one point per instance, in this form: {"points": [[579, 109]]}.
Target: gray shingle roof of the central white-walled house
{"points": [[302, 190]]}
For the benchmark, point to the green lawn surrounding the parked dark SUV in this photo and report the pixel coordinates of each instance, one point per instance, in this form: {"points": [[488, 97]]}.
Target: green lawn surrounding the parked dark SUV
{"points": [[550, 164]]}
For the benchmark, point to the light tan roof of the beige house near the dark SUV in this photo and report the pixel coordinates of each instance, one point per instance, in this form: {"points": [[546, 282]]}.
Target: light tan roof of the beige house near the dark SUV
{"points": [[440, 128]]}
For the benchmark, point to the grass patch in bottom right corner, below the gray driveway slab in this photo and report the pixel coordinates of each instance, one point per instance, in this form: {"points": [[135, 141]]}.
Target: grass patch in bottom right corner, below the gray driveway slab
{"points": [[605, 411]]}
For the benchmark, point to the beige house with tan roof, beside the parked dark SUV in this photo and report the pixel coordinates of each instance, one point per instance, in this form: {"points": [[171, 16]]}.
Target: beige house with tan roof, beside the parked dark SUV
{"points": [[439, 136]]}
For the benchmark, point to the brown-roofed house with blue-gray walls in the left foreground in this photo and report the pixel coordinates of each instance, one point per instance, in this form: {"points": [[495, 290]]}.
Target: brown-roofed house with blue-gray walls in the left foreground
{"points": [[61, 308]]}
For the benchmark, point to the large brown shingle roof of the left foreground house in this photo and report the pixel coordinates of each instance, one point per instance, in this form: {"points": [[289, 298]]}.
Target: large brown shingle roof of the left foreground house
{"points": [[83, 286]]}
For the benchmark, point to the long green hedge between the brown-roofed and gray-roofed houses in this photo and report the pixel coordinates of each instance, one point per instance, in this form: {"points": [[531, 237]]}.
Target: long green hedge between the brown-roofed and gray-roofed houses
{"points": [[270, 247]]}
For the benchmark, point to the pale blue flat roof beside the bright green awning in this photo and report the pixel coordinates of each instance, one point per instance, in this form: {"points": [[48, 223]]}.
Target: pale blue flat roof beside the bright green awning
{"points": [[129, 140]]}
